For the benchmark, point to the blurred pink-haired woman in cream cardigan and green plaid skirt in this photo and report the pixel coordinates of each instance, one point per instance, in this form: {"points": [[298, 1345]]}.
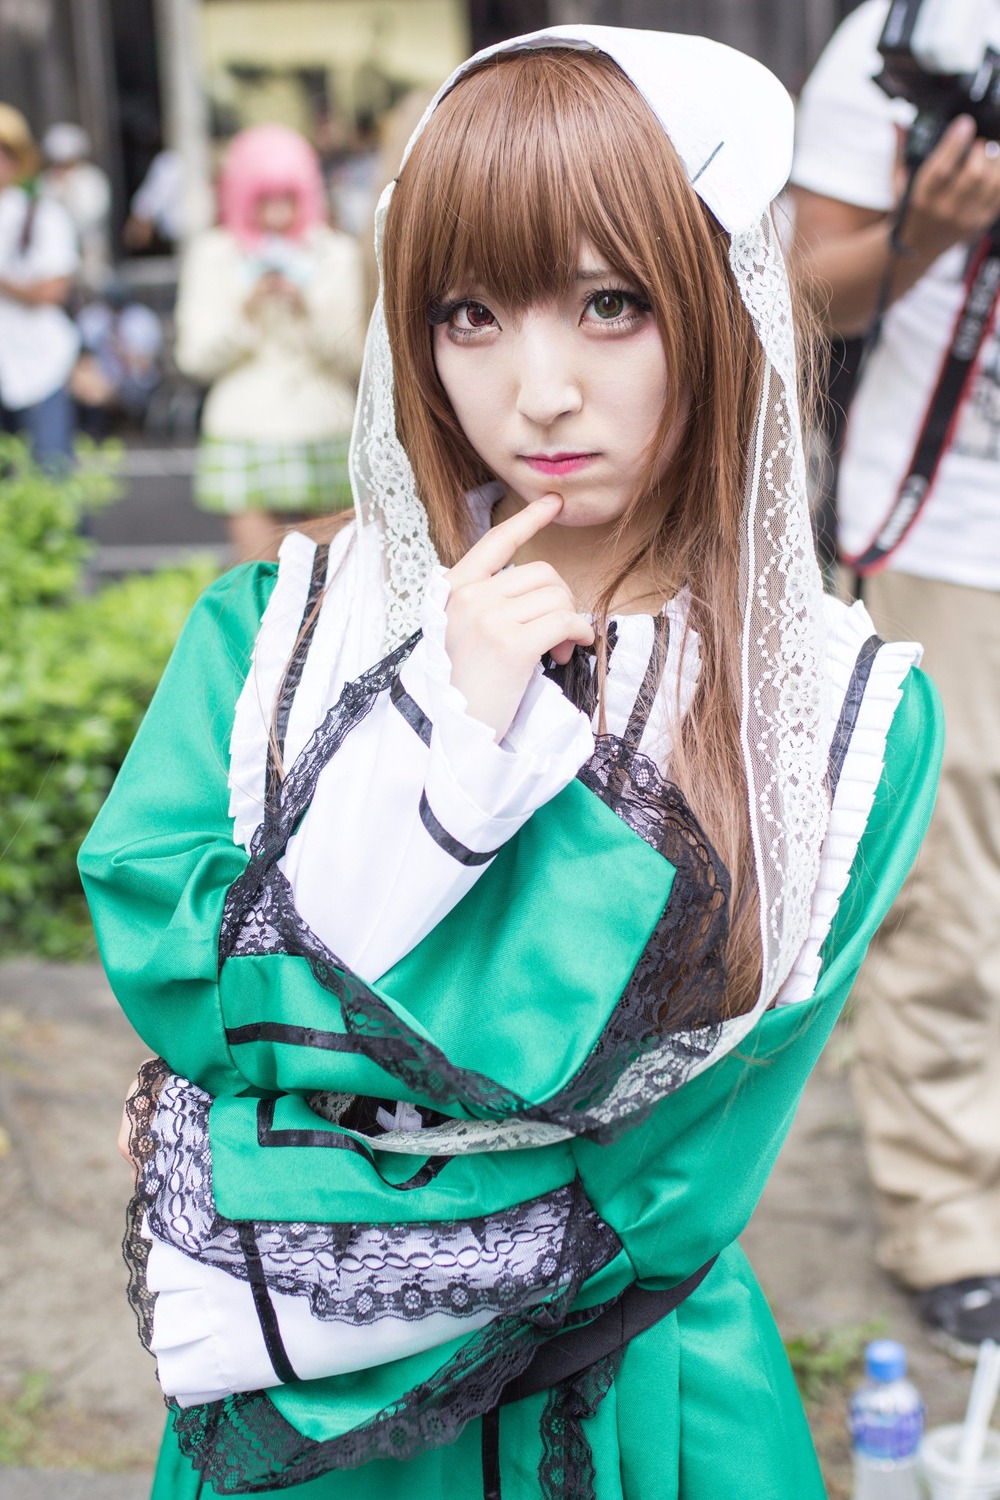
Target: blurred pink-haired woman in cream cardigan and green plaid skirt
{"points": [[269, 313]]}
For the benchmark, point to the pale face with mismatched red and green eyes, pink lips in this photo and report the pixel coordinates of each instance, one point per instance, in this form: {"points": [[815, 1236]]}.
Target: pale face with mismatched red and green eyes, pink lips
{"points": [[566, 397]]}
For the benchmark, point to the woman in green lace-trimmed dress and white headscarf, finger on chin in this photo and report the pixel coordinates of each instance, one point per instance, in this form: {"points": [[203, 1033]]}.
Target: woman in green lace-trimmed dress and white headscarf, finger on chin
{"points": [[491, 872]]}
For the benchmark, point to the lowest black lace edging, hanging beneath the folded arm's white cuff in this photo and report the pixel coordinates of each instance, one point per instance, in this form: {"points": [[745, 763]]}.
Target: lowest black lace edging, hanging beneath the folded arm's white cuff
{"points": [[244, 1445]]}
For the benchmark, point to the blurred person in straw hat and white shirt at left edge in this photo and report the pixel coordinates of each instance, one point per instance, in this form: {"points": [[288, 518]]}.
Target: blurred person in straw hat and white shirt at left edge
{"points": [[38, 340]]}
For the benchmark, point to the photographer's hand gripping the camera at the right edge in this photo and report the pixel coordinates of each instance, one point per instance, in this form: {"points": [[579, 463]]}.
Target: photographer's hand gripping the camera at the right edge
{"points": [[956, 193]]}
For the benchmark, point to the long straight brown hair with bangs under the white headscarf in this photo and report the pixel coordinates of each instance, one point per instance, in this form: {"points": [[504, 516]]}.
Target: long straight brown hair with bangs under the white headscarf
{"points": [[530, 155]]}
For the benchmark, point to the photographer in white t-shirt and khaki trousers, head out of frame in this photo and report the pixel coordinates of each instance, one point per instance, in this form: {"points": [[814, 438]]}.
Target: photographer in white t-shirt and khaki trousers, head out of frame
{"points": [[929, 1022]]}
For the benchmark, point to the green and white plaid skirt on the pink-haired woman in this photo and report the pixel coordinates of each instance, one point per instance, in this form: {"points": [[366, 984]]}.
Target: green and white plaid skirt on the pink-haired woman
{"points": [[235, 476]]}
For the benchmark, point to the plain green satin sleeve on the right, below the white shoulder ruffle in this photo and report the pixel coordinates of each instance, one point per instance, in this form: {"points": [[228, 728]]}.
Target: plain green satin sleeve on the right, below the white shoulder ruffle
{"points": [[687, 1181]]}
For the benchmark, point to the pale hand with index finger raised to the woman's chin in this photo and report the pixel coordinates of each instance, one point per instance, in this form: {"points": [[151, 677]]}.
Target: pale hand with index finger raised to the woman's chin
{"points": [[501, 623]]}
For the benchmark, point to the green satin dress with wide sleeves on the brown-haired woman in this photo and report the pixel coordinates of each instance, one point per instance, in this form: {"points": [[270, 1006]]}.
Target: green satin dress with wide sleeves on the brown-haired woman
{"points": [[698, 1406]]}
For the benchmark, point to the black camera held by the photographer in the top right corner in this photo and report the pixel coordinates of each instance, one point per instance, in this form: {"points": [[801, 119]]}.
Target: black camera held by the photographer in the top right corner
{"points": [[935, 53]]}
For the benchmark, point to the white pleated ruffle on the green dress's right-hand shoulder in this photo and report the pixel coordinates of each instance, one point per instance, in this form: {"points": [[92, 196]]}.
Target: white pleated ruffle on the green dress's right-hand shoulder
{"points": [[848, 631]]}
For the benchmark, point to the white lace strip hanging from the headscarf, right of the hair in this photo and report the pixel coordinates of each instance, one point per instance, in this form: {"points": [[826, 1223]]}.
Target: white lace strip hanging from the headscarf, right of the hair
{"points": [[783, 704]]}
